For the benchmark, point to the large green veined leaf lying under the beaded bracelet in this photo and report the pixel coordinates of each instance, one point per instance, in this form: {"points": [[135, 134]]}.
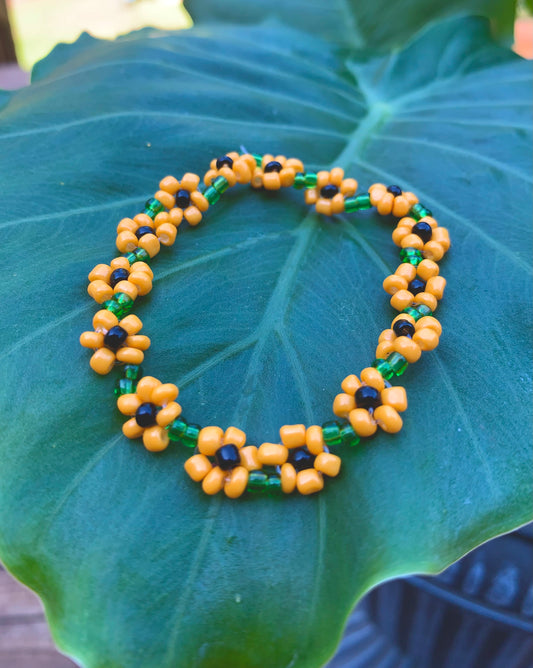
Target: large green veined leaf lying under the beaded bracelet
{"points": [[257, 314]]}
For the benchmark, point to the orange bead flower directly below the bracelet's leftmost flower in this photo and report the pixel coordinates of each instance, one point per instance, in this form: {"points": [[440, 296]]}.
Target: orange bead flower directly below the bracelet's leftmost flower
{"points": [[151, 409]]}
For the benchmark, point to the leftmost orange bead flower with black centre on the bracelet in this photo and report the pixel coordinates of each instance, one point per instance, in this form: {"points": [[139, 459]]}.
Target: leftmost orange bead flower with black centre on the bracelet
{"points": [[114, 340]]}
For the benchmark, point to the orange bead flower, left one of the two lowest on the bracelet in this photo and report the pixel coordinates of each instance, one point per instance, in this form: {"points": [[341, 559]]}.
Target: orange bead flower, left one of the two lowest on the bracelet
{"points": [[205, 465]]}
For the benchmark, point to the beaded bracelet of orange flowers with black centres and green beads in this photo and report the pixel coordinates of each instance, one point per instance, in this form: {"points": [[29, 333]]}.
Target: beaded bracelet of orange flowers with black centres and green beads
{"points": [[221, 459]]}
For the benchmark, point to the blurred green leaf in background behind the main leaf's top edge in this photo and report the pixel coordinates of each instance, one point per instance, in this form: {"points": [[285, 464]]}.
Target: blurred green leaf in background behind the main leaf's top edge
{"points": [[354, 23]]}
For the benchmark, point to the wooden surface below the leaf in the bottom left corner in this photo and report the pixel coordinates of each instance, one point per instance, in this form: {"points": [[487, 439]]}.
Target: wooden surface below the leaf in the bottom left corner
{"points": [[24, 637]]}
